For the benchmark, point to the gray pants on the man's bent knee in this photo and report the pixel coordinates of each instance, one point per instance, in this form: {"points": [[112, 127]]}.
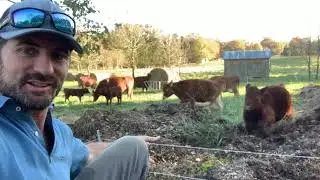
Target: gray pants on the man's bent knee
{"points": [[125, 159]]}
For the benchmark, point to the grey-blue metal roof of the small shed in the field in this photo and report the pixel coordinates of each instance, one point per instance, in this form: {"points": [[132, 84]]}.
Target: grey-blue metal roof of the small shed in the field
{"points": [[252, 54]]}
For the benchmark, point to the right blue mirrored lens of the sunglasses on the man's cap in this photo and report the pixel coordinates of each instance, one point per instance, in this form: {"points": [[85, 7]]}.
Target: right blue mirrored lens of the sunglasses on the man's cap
{"points": [[63, 23]]}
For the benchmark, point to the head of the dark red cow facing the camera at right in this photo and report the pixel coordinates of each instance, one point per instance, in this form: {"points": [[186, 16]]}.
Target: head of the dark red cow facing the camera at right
{"points": [[253, 97]]}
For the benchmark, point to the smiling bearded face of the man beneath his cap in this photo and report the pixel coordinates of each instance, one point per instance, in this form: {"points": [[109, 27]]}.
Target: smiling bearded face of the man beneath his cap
{"points": [[32, 69]]}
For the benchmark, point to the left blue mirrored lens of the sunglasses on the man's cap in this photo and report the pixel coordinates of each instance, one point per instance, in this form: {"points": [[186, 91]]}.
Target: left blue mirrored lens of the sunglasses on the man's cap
{"points": [[28, 18]]}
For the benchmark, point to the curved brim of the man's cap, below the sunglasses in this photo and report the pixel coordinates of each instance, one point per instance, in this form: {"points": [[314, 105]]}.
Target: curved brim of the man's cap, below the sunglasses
{"points": [[18, 33]]}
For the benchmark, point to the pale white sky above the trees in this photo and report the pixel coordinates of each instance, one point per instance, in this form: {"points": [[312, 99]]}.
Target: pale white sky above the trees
{"points": [[224, 20]]}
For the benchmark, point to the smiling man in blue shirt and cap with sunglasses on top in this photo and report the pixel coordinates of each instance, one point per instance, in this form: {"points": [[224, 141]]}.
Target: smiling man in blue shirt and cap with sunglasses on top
{"points": [[36, 39]]}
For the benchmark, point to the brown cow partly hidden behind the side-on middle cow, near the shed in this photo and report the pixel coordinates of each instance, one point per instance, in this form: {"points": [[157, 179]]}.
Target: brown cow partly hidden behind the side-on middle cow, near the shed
{"points": [[231, 82]]}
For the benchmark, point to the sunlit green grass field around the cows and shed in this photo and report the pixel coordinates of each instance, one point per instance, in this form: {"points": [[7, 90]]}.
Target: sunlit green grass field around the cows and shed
{"points": [[292, 71]]}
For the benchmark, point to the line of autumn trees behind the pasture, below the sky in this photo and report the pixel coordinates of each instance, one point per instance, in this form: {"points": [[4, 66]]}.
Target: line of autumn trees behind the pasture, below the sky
{"points": [[138, 46]]}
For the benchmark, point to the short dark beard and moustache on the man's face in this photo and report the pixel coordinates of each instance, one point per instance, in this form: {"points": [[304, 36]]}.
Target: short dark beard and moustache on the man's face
{"points": [[14, 88]]}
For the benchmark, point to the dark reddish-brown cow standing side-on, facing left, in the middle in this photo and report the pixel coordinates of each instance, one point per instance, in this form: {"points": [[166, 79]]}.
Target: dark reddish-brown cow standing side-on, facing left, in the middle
{"points": [[194, 90]]}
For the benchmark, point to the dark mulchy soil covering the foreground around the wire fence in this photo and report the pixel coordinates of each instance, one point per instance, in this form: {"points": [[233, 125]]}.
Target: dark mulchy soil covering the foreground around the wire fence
{"points": [[298, 137]]}
